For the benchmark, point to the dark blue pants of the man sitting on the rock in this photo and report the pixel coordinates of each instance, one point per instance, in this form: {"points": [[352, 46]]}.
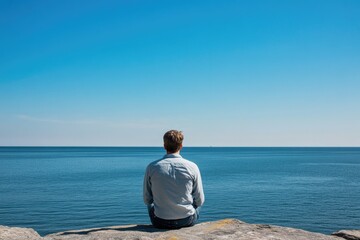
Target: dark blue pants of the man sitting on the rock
{"points": [[172, 224]]}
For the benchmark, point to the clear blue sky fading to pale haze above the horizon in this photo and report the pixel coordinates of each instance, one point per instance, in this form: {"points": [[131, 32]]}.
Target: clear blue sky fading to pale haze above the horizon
{"points": [[226, 73]]}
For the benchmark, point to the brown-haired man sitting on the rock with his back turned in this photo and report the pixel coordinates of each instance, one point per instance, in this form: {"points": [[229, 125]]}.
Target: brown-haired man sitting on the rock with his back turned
{"points": [[173, 188]]}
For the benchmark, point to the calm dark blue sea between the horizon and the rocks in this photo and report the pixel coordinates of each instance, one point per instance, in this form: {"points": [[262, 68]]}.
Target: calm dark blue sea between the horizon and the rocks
{"points": [[54, 189]]}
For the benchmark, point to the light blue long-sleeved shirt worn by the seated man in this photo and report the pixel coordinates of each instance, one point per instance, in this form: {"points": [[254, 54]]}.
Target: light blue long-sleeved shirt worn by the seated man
{"points": [[173, 184]]}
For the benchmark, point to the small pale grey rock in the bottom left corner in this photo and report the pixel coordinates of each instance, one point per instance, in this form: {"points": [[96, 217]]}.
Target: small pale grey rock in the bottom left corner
{"points": [[15, 233]]}
